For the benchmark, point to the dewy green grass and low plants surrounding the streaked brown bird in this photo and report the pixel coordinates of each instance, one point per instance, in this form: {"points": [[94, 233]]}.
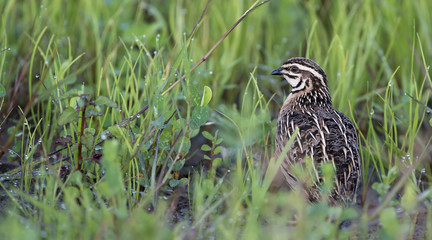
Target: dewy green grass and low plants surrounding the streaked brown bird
{"points": [[102, 152]]}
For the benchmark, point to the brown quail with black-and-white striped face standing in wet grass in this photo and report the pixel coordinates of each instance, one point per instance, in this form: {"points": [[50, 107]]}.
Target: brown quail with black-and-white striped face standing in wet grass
{"points": [[325, 135]]}
